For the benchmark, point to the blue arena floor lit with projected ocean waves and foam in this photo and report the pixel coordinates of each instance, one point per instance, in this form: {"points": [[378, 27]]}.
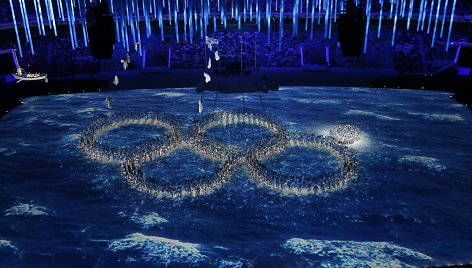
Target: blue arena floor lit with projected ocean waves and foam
{"points": [[303, 176]]}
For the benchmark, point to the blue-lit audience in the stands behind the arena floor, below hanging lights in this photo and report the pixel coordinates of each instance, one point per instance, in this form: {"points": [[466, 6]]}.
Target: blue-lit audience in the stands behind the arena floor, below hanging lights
{"points": [[55, 56]]}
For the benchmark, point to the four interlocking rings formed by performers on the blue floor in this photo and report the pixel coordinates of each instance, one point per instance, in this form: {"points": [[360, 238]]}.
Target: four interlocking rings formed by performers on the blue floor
{"points": [[231, 157]]}
